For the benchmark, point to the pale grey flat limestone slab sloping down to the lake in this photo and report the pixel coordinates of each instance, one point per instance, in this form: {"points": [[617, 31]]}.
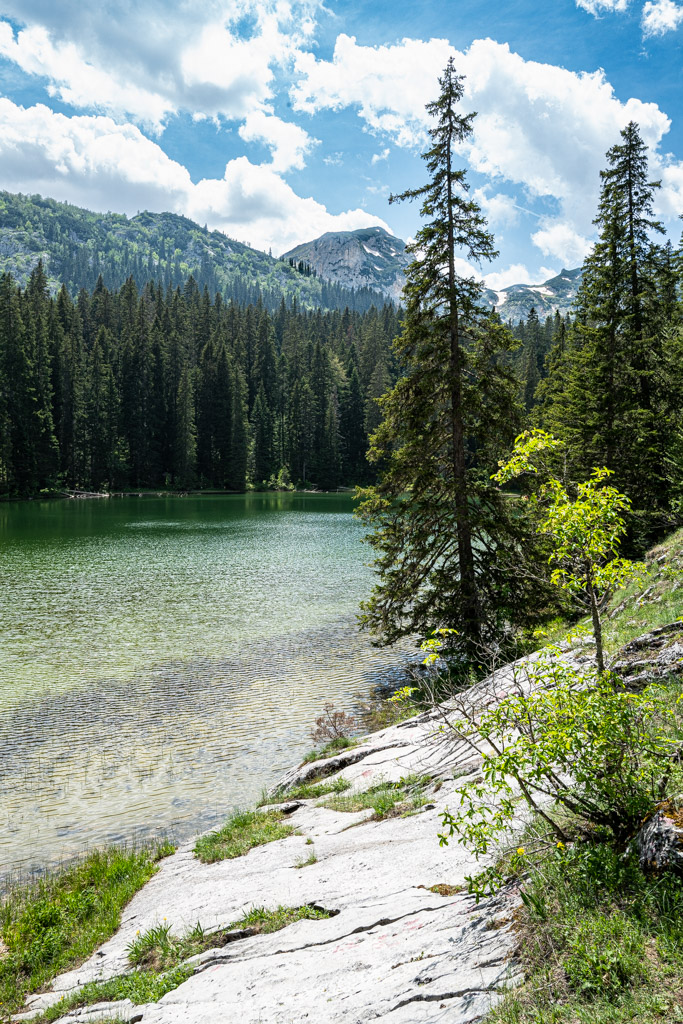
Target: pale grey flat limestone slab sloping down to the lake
{"points": [[392, 950]]}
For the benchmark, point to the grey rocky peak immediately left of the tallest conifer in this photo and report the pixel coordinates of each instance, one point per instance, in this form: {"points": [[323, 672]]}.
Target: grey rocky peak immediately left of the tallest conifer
{"points": [[370, 258]]}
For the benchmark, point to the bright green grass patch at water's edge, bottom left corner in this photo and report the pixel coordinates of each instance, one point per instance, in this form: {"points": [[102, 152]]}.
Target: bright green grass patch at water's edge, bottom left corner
{"points": [[56, 923]]}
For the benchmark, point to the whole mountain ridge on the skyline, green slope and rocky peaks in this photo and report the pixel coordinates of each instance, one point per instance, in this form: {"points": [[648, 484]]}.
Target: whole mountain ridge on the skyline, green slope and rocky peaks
{"points": [[357, 269]]}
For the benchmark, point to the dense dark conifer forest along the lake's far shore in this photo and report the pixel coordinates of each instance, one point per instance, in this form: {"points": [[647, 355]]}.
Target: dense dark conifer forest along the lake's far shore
{"points": [[169, 388]]}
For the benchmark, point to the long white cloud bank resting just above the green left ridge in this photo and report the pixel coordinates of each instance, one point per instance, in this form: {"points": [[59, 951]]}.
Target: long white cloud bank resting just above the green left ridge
{"points": [[97, 163]]}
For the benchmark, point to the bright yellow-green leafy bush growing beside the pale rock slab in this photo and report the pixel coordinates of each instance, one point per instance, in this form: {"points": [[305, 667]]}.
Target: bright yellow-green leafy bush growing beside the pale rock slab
{"points": [[571, 744]]}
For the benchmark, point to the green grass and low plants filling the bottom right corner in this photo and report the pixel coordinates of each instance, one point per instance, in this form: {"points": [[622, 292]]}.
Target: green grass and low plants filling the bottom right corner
{"points": [[608, 949]]}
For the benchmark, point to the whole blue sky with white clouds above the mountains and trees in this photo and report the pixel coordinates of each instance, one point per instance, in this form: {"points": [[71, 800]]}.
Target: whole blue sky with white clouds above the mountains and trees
{"points": [[277, 120]]}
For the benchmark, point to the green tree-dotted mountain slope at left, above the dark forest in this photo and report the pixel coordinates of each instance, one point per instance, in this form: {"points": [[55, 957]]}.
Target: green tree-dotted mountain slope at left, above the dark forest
{"points": [[77, 246]]}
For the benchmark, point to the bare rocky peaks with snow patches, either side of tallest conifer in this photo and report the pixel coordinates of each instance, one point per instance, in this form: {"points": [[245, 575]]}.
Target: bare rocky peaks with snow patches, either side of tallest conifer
{"points": [[375, 259]]}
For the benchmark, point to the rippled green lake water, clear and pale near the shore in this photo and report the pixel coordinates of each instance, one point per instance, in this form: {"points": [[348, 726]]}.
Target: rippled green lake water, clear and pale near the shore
{"points": [[162, 660]]}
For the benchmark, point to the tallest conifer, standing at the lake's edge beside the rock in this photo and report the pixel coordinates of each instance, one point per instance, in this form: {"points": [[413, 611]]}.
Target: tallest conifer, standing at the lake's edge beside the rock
{"points": [[444, 537]]}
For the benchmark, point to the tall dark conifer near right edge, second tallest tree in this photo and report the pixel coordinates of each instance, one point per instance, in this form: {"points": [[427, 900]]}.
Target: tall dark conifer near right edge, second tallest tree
{"points": [[609, 396]]}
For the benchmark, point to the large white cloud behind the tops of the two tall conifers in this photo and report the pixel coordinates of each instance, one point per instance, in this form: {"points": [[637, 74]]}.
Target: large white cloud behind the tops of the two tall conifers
{"points": [[539, 126]]}
